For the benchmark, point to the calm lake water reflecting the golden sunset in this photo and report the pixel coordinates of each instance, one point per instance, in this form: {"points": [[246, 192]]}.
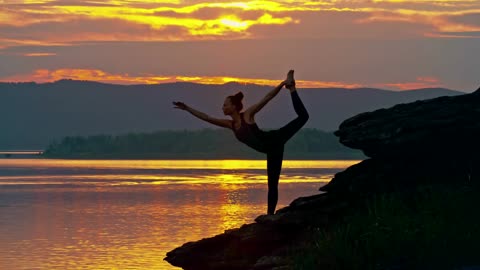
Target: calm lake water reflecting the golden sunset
{"points": [[126, 214]]}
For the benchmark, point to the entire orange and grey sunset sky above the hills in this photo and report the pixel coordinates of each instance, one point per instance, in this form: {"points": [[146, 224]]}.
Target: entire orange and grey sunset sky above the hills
{"points": [[391, 44]]}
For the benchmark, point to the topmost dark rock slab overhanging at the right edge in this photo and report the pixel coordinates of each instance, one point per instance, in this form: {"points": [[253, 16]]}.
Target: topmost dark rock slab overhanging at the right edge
{"points": [[440, 125]]}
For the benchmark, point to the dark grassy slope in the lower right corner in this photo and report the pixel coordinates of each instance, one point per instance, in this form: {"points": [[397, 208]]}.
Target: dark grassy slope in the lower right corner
{"points": [[430, 228]]}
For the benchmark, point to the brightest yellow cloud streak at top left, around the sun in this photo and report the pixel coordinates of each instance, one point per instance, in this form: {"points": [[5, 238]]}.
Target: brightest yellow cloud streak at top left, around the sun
{"points": [[230, 21]]}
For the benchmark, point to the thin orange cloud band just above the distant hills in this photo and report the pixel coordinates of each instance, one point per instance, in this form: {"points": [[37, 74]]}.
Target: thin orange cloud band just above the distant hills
{"points": [[101, 76]]}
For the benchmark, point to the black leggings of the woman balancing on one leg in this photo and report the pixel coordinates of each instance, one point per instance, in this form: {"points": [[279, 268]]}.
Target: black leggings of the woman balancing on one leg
{"points": [[275, 155]]}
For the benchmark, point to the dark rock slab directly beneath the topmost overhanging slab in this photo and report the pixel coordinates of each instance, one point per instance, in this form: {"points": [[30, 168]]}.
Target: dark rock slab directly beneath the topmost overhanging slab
{"points": [[379, 175]]}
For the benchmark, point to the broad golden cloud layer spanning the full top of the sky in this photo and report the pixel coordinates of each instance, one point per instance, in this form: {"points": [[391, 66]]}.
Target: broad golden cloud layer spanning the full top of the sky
{"points": [[214, 20]]}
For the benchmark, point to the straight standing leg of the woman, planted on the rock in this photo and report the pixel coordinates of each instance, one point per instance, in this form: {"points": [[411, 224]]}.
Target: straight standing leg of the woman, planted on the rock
{"points": [[274, 167]]}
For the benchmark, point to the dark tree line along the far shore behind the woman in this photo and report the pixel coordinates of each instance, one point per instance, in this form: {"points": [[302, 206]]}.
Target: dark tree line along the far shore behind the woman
{"points": [[204, 143]]}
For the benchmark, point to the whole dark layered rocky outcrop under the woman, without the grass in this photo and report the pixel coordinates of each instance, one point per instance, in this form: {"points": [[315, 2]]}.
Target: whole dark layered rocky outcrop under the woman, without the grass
{"points": [[424, 142]]}
